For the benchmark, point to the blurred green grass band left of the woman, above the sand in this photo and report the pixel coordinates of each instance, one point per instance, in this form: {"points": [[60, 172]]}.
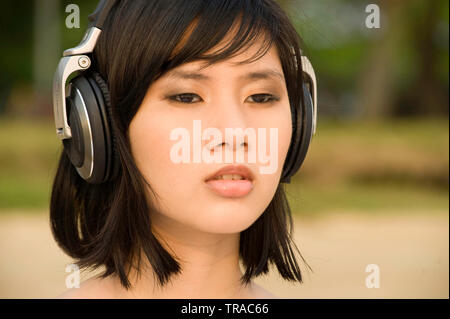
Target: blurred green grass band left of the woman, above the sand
{"points": [[28, 157]]}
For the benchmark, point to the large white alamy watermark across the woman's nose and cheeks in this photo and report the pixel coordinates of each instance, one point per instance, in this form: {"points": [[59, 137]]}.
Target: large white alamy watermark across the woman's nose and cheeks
{"points": [[181, 150]]}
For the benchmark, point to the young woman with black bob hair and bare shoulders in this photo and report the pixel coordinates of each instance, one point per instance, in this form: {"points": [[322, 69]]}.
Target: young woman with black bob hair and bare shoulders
{"points": [[161, 228]]}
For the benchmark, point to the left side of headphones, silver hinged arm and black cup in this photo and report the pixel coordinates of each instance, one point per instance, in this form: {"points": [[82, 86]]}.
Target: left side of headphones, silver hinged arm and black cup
{"points": [[83, 115]]}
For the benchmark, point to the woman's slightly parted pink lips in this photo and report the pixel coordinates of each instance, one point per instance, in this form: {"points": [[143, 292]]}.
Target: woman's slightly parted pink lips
{"points": [[231, 181]]}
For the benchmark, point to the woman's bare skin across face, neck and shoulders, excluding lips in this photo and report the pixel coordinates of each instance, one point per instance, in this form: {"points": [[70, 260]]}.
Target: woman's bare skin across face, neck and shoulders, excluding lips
{"points": [[200, 228]]}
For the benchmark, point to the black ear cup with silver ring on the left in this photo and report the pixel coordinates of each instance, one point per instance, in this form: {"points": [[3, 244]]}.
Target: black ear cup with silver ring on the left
{"points": [[91, 147]]}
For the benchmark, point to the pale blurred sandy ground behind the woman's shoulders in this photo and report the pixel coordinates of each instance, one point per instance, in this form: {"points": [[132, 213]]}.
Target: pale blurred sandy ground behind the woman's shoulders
{"points": [[410, 250]]}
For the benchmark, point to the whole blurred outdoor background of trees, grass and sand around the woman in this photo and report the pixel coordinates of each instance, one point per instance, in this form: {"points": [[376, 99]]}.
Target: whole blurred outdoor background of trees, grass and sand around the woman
{"points": [[374, 188]]}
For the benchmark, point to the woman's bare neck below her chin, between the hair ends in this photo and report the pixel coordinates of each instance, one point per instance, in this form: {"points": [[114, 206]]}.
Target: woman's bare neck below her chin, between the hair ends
{"points": [[209, 265]]}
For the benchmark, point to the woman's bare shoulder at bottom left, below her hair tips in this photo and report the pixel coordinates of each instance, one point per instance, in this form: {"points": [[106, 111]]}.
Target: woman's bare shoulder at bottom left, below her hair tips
{"points": [[92, 288]]}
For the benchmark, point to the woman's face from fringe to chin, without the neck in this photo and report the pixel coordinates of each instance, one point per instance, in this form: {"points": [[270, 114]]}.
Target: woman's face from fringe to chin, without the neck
{"points": [[220, 97]]}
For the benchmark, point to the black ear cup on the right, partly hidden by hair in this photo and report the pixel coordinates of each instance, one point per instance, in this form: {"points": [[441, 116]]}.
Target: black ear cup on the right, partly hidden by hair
{"points": [[300, 143]]}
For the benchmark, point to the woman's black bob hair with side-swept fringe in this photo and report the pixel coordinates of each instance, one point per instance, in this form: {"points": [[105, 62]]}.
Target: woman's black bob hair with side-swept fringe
{"points": [[108, 225]]}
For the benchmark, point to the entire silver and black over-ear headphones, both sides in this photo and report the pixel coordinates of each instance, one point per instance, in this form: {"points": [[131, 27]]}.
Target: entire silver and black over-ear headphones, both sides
{"points": [[82, 111]]}
